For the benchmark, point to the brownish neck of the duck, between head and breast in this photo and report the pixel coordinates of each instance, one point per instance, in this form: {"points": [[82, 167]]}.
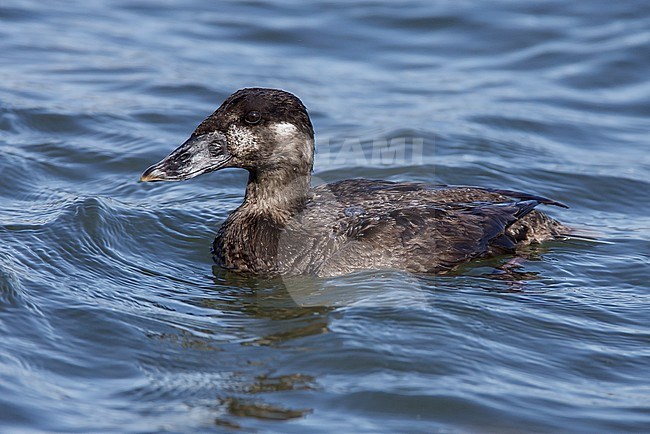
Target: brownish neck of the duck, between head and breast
{"points": [[281, 192]]}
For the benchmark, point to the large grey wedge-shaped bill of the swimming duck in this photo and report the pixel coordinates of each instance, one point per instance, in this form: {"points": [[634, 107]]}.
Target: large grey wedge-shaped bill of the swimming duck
{"points": [[199, 154]]}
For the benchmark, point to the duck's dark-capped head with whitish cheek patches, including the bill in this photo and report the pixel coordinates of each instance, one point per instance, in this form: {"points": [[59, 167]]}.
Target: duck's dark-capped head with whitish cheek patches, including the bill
{"points": [[265, 131]]}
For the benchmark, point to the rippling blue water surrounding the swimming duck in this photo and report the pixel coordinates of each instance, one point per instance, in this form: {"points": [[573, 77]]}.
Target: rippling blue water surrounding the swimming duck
{"points": [[113, 318]]}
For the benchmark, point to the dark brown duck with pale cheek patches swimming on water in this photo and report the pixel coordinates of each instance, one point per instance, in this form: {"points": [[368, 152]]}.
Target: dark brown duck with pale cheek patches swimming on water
{"points": [[285, 226]]}
